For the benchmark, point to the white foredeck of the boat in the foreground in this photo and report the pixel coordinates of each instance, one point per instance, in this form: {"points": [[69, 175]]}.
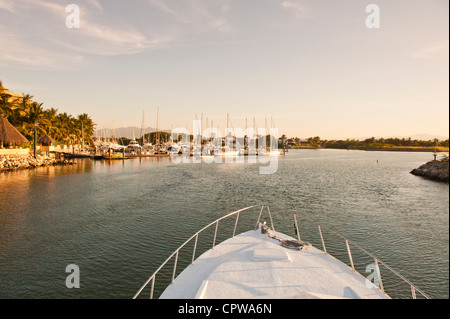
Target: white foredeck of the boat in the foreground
{"points": [[253, 265]]}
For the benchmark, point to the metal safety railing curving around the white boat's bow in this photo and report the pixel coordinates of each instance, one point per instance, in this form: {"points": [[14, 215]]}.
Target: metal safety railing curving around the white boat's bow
{"points": [[377, 262]]}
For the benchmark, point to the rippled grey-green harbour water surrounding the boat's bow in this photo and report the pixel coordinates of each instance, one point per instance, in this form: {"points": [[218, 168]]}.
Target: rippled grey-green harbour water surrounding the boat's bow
{"points": [[119, 221]]}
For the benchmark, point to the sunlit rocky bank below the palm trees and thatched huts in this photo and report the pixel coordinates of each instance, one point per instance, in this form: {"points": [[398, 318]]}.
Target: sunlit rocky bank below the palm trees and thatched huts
{"points": [[12, 163]]}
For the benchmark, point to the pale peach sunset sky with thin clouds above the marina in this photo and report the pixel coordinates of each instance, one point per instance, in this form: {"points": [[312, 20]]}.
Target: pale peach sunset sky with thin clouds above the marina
{"points": [[312, 67]]}
